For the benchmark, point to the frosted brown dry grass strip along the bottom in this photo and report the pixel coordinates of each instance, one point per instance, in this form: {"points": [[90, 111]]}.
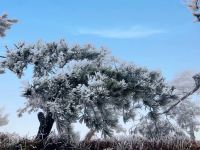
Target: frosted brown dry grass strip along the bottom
{"points": [[12, 142]]}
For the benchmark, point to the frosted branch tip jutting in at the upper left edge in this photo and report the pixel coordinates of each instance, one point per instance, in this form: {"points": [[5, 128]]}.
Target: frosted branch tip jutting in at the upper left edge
{"points": [[5, 24]]}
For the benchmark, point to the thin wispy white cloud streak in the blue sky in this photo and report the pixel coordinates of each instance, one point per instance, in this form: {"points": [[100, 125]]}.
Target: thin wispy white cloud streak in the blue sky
{"points": [[128, 33]]}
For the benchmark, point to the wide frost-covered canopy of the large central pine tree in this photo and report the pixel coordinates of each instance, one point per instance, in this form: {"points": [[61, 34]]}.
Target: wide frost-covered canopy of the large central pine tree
{"points": [[86, 85]]}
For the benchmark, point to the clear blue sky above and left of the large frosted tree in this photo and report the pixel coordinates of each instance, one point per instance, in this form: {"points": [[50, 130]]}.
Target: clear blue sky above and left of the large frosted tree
{"points": [[158, 34]]}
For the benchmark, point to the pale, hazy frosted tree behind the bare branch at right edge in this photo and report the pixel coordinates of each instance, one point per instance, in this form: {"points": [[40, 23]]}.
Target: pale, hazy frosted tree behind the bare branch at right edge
{"points": [[186, 114]]}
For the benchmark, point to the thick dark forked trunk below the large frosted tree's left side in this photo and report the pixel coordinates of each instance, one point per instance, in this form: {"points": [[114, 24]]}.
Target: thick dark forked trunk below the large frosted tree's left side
{"points": [[46, 124]]}
